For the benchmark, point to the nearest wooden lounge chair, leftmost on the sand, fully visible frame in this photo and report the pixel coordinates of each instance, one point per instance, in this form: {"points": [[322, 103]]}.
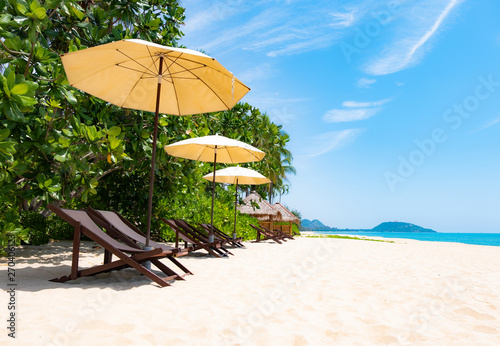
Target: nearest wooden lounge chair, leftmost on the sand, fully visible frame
{"points": [[83, 224]]}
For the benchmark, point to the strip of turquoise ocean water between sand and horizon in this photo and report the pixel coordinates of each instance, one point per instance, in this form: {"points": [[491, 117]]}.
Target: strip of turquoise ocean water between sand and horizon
{"points": [[491, 239]]}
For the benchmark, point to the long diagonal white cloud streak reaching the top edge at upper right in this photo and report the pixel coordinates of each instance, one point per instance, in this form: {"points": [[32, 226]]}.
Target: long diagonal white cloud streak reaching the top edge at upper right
{"points": [[407, 49]]}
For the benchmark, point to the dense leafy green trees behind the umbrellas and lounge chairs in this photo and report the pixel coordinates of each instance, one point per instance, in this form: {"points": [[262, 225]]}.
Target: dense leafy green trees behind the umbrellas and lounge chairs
{"points": [[60, 144]]}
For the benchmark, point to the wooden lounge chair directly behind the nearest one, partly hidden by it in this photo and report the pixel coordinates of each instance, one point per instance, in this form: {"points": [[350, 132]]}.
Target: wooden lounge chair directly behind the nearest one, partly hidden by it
{"points": [[120, 228]]}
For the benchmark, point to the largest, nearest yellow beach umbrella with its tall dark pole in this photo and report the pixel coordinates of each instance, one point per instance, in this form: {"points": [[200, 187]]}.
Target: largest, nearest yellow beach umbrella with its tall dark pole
{"points": [[145, 76]]}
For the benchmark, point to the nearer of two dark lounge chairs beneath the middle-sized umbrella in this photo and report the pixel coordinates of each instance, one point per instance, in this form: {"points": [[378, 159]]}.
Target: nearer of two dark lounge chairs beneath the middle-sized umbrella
{"points": [[184, 232]]}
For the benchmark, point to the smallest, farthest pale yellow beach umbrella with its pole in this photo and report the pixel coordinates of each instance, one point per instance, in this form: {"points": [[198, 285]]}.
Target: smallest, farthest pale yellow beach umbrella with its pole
{"points": [[238, 175]]}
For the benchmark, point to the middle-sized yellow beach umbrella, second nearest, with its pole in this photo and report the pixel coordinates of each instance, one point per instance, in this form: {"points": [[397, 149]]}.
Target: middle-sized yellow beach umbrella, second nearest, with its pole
{"points": [[215, 148]]}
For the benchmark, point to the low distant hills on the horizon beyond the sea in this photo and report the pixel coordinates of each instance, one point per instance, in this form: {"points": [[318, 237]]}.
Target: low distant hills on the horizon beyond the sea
{"points": [[316, 225]]}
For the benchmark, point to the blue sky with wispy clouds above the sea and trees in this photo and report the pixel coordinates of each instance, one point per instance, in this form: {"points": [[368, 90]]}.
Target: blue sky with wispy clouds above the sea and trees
{"points": [[393, 107]]}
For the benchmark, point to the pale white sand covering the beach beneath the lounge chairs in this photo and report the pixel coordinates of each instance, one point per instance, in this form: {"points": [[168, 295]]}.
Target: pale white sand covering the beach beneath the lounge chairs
{"points": [[304, 292]]}
